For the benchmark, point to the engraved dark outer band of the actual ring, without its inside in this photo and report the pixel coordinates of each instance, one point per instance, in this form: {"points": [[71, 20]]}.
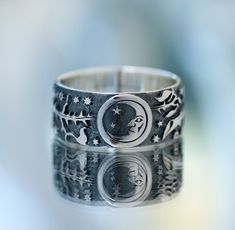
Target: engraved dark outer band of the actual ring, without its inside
{"points": [[118, 119]]}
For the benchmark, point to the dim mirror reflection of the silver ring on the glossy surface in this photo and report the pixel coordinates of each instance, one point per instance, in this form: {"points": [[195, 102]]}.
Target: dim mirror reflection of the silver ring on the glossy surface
{"points": [[121, 179]]}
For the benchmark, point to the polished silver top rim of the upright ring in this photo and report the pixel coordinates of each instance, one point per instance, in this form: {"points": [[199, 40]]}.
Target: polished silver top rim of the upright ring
{"points": [[105, 69]]}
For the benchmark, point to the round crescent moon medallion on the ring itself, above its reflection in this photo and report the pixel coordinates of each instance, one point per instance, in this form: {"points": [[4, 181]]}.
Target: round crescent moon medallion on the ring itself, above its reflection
{"points": [[124, 120]]}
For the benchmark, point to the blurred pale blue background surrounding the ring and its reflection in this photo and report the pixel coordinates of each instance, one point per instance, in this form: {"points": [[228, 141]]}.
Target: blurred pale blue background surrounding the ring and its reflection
{"points": [[39, 40]]}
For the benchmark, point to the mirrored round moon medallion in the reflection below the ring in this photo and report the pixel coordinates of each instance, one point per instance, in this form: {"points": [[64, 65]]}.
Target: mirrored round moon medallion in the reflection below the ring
{"points": [[124, 180]]}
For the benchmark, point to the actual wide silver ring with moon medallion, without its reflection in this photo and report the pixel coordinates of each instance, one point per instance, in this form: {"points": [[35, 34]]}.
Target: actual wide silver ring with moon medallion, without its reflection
{"points": [[118, 106]]}
